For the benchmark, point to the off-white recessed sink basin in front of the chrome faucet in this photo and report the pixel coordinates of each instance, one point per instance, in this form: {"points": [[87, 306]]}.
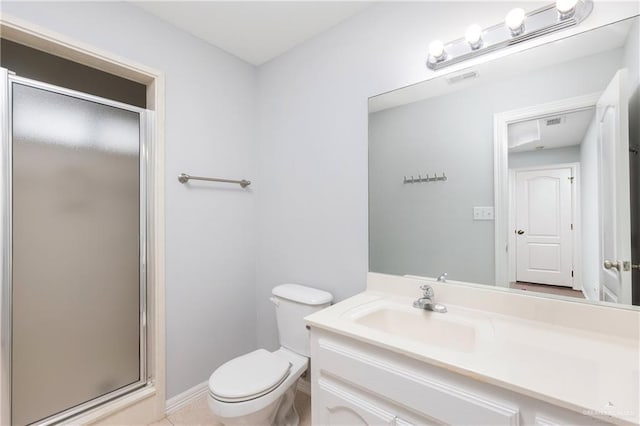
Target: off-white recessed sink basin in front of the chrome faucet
{"points": [[428, 328]]}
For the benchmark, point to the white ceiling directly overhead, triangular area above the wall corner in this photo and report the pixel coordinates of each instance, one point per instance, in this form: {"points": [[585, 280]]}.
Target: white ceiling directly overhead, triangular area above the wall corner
{"points": [[255, 31]]}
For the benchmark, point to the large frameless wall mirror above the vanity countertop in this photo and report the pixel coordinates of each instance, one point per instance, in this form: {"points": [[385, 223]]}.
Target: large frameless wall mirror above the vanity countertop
{"points": [[521, 172]]}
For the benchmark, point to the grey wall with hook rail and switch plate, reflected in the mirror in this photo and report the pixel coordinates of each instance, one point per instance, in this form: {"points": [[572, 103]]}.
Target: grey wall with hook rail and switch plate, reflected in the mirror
{"points": [[428, 228]]}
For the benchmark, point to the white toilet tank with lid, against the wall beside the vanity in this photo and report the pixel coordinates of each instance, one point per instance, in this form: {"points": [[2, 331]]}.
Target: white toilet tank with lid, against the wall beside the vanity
{"points": [[293, 302]]}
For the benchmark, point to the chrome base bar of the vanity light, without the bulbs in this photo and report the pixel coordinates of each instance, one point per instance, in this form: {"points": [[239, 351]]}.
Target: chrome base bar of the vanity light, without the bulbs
{"points": [[542, 21]]}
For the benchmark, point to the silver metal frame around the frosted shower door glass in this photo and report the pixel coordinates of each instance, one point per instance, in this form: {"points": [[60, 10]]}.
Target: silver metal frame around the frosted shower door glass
{"points": [[146, 129]]}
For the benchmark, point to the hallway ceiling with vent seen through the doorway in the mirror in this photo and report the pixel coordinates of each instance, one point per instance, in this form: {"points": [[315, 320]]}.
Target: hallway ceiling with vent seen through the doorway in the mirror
{"points": [[551, 132]]}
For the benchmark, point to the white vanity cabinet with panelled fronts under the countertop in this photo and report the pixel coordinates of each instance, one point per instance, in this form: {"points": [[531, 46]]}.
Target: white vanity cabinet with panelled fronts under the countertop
{"points": [[356, 383]]}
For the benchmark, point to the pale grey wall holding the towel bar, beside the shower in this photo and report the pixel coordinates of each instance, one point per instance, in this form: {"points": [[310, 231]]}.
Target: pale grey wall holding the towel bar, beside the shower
{"points": [[210, 231]]}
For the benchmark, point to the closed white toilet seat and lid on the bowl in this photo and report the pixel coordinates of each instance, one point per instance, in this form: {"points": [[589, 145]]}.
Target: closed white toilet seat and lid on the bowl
{"points": [[248, 377]]}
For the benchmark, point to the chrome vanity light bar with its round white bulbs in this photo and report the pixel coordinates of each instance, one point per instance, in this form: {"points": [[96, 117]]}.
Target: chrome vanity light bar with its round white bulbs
{"points": [[517, 27]]}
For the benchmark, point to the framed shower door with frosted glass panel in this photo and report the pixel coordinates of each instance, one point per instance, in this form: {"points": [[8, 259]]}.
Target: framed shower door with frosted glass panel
{"points": [[74, 244]]}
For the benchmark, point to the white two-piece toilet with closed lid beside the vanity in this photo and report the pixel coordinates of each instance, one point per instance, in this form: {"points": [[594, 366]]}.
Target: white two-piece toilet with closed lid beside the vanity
{"points": [[258, 388]]}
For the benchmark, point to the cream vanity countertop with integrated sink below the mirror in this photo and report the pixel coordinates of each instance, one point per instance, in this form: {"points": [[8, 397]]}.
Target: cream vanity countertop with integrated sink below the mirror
{"points": [[586, 371]]}
